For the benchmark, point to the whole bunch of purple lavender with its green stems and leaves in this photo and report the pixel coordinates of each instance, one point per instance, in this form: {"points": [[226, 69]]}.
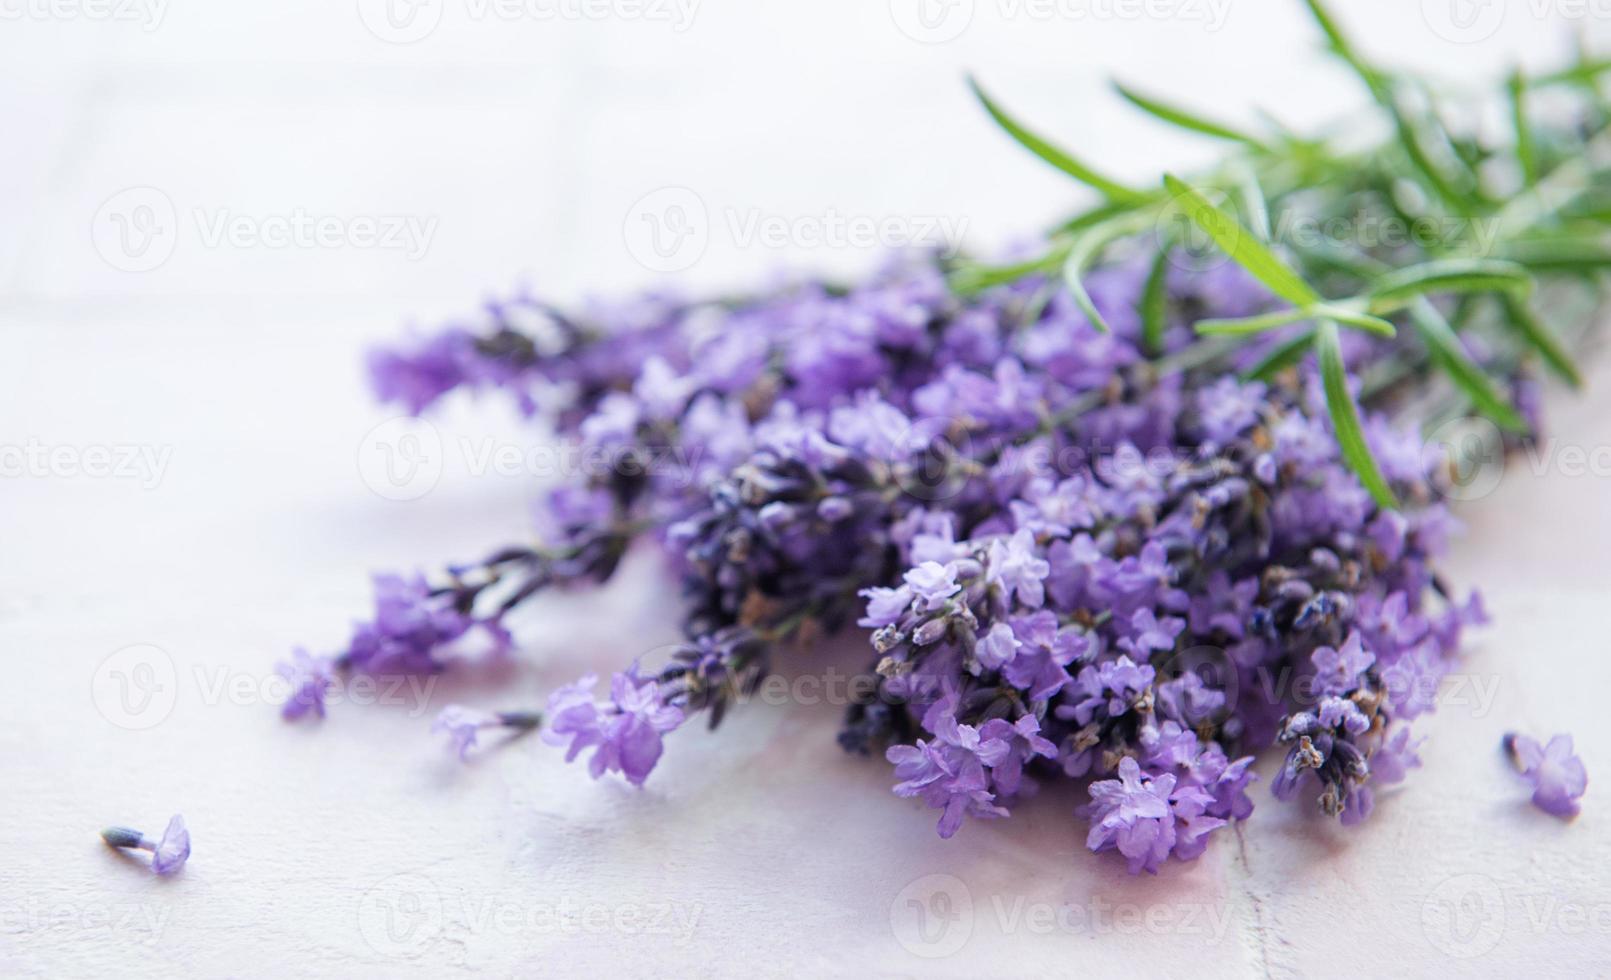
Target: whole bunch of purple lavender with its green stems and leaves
{"points": [[1125, 512]]}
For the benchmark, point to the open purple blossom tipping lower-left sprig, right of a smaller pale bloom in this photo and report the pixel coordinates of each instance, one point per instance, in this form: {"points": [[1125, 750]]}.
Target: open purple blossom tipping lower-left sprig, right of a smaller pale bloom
{"points": [[626, 733]]}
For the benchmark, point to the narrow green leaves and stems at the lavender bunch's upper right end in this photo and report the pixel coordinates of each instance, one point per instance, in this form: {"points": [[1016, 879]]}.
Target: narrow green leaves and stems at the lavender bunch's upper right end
{"points": [[1539, 196]]}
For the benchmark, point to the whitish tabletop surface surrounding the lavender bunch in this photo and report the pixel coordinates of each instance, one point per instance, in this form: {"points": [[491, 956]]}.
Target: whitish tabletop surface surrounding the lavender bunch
{"points": [[358, 847]]}
